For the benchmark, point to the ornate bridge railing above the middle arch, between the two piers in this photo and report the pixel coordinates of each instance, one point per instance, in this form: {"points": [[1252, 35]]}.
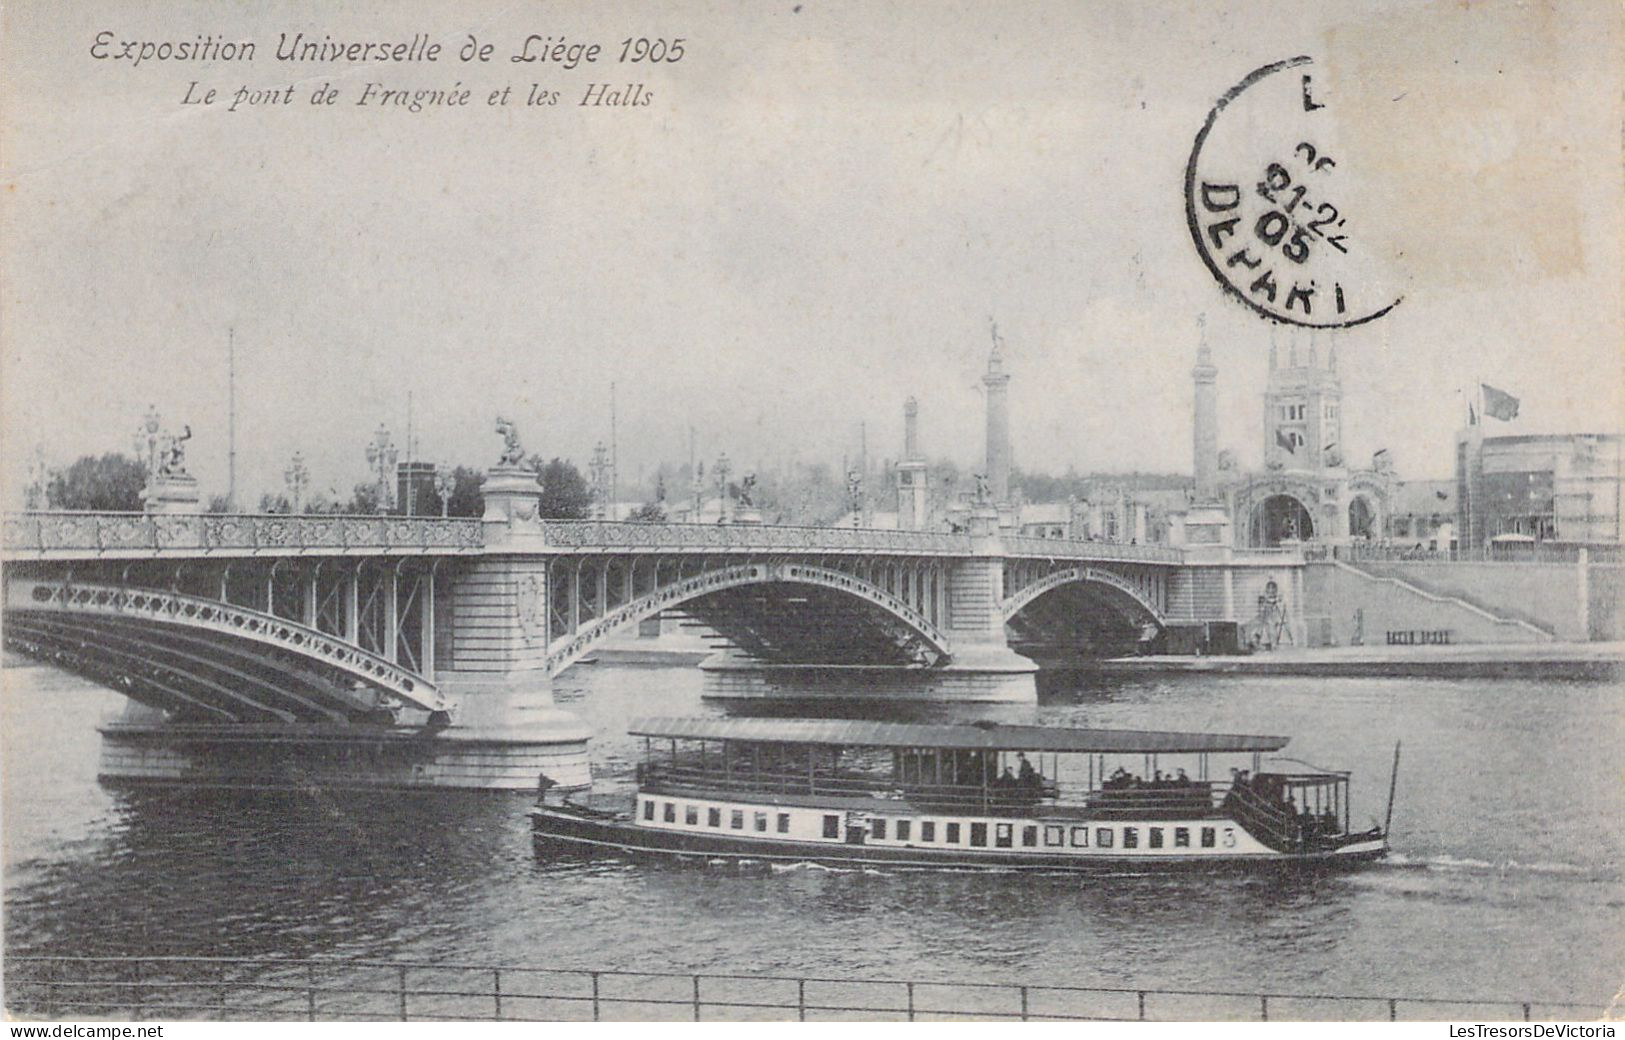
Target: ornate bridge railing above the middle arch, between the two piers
{"points": [[747, 539]]}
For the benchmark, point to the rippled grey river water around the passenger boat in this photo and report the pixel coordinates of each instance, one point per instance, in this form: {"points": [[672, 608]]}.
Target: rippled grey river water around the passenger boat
{"points": [[1509, 878]]}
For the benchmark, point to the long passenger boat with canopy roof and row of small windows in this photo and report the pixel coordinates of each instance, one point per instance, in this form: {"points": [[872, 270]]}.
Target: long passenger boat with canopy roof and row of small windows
{"points": [[968, 797]]}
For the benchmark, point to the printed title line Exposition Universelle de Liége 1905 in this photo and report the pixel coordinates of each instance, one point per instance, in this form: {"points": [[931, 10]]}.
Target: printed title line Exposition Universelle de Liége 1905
{"points": [[420, 50]]}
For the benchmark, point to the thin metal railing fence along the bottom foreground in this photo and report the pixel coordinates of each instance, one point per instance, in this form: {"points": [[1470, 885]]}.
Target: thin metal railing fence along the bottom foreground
{"points": [[370, 990]]}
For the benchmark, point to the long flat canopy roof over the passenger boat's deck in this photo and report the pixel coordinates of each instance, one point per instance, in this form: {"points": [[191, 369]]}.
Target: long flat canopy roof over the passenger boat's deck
{"points": [[979, 737]]}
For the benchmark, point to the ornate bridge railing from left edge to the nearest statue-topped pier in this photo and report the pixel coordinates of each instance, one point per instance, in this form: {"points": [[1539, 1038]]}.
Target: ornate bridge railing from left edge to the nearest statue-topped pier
{"points": [[139, 535]]}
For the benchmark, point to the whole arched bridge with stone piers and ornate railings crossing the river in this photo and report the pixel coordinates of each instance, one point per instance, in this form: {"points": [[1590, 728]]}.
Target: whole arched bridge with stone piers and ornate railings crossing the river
{"points": [[292, 651]]}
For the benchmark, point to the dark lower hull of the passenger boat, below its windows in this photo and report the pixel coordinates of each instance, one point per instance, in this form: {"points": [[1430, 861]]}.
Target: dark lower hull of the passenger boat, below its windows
{"points": [[618, 838]]}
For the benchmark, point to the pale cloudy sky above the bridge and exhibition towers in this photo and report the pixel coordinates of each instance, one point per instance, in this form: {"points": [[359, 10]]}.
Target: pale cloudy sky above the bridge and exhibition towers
{"points": [[817, 217]]}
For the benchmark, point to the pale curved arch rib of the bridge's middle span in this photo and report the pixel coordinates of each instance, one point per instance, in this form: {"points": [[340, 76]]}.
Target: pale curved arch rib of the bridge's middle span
{"points": [[916, 638]]}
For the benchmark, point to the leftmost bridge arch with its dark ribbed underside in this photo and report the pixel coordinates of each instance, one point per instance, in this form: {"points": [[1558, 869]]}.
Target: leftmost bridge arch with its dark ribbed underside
{"points": [[206, 657]]}
